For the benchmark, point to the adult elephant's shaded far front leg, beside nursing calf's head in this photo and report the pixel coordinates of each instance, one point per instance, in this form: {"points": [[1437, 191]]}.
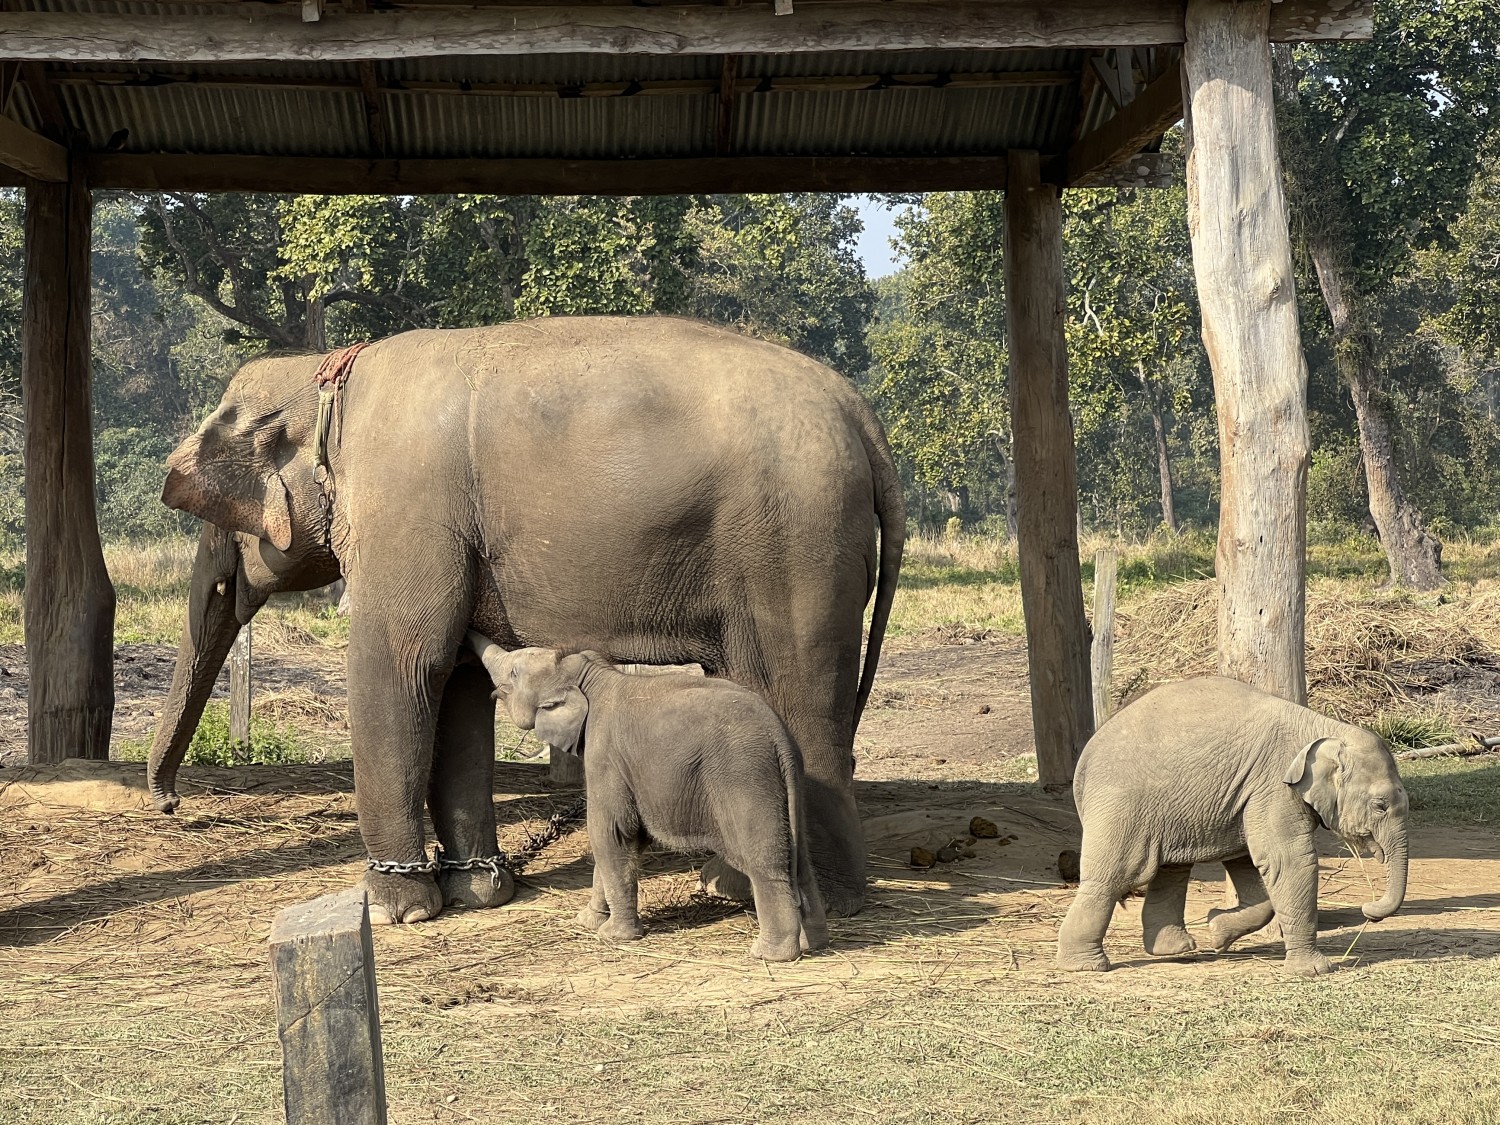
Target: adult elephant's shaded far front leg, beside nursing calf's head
{"points": [[461, 797]]}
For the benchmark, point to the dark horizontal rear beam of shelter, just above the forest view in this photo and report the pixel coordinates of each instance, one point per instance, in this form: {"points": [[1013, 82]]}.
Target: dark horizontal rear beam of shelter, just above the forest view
{"points": [[685, 176]]}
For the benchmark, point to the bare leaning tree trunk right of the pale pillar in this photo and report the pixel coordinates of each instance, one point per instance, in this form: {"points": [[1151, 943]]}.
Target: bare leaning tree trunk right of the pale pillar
{"points": [[1414, 556]]}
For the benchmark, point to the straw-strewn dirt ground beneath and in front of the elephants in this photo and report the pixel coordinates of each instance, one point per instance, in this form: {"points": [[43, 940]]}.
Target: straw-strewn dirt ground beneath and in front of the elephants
{"points": [[134, 983]]}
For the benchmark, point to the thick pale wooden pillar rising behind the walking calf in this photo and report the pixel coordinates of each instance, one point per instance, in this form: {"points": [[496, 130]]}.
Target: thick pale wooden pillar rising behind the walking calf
{"points": [[1243, 260]]}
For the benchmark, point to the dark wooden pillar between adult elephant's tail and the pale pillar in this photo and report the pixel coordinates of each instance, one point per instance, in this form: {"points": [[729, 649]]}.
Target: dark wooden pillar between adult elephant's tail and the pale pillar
{"points": [[1046, 473]]}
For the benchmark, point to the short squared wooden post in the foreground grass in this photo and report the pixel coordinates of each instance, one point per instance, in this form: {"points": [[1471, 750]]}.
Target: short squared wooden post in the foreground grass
{"points": [[328, 1015]]}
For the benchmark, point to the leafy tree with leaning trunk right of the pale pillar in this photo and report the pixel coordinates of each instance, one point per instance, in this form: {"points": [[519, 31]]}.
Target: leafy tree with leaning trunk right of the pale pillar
{"points": [[1379, 143]]}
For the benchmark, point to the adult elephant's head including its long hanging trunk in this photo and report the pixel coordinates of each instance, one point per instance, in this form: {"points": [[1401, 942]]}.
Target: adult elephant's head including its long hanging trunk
{"points": [[248, 473]]}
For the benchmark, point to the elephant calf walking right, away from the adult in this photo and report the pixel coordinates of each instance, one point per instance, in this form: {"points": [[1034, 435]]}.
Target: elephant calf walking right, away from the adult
{"points": [[1213, 770]]}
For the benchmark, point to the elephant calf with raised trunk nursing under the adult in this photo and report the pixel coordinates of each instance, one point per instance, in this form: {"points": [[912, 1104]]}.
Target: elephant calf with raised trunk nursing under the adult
{"points": [[691, 763]]}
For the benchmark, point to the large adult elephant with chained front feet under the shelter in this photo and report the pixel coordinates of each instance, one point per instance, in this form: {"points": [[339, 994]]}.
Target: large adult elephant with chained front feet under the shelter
{"points": [[656, 490]]}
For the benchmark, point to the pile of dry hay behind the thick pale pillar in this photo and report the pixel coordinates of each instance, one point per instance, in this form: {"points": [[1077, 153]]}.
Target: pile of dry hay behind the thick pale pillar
{"points": [[1369, 653]]}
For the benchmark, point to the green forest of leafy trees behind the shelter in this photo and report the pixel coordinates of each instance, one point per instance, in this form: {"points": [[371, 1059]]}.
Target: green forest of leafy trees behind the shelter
{"points": [[1393, 158]]}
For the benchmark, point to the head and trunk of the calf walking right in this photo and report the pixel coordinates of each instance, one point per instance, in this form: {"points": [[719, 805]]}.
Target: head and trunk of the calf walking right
{"points": [[1354, 785]]}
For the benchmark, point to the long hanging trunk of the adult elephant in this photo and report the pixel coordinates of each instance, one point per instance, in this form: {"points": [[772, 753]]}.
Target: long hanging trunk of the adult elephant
{"points": [[208, 637]]}
